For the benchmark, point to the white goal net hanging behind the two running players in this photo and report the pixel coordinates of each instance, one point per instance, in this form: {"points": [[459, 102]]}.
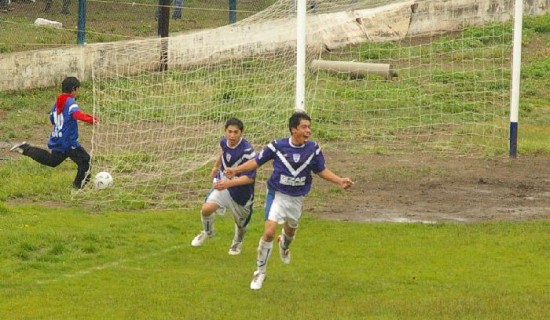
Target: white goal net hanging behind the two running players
{"points": [[383, 76]]}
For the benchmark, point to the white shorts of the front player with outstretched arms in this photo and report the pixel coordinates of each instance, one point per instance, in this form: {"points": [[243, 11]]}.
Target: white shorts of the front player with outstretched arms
{"points": [[281, 208]]}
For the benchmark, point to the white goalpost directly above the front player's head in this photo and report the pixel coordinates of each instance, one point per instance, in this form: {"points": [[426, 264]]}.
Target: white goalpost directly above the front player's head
{"points": [[300, 55]]}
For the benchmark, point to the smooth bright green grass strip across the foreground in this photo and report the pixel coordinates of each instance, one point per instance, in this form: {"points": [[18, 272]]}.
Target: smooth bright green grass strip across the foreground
{"points": [[74, 263]]}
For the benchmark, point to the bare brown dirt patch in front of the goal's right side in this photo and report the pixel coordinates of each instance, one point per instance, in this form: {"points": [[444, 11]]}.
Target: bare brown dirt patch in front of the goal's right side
{"points": [[433, 189]]}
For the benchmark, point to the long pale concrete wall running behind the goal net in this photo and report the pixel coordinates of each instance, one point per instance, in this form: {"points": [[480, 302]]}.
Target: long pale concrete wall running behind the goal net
{"points": [[44, 68]]}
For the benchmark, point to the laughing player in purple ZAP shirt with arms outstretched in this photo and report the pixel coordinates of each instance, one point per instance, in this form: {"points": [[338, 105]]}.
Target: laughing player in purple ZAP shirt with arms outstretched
{"points": [[294, 159]]}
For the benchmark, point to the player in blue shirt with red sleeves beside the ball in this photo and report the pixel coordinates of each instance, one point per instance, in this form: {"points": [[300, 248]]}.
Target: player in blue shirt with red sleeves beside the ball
{"points": [[64, 135]]}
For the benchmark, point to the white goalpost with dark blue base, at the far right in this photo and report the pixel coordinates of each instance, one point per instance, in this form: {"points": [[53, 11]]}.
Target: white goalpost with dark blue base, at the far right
{"points": [[516, 72]]}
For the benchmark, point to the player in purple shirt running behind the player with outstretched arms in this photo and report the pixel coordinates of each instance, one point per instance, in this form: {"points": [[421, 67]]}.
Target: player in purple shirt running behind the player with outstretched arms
{"points": [[235, 194]]}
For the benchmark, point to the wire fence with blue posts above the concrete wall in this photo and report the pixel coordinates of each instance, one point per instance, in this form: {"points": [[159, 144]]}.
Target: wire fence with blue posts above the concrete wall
{"points": [[37, 24]]}
